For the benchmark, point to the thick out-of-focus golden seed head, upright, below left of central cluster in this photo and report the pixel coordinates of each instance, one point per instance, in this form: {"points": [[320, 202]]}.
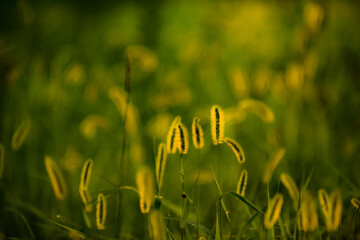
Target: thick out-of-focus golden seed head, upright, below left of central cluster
{"points": [[145, 184]]}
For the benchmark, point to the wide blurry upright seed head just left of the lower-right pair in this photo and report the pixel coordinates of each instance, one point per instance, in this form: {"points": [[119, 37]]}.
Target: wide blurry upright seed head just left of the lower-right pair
{"points": [[308, 219]]}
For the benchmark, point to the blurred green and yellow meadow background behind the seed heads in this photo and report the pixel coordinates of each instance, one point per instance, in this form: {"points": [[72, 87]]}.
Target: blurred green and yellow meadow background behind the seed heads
{"points": [[62, 67]]}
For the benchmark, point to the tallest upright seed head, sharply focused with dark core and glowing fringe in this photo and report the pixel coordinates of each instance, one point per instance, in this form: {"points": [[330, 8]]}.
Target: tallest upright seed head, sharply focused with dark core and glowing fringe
{"points": [[217, 122]]}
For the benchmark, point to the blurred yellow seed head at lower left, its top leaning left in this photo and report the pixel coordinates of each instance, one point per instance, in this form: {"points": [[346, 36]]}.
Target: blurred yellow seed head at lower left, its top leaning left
{"points": [[56, 178]]}
